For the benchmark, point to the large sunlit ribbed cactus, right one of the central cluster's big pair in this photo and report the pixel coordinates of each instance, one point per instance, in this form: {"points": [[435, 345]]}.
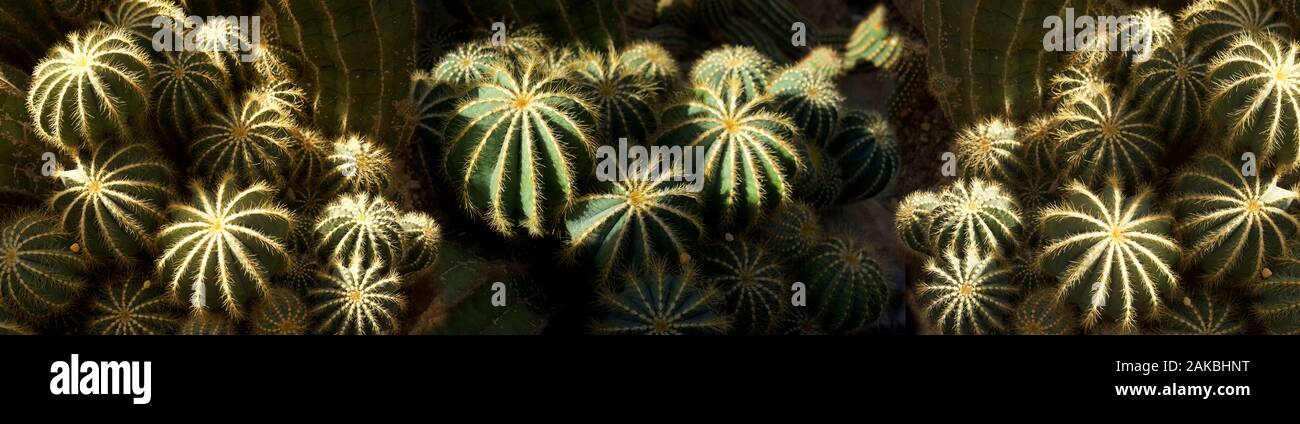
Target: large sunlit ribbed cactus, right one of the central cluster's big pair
{"points": [[751, 157]]}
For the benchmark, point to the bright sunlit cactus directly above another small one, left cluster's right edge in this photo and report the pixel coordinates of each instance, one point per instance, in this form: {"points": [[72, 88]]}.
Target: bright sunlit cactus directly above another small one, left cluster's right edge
{"points": [[359, 226]]}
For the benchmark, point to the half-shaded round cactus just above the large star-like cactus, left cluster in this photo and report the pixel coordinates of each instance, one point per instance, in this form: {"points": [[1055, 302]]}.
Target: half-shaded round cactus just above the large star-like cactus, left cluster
{"points": [[250, 142]]}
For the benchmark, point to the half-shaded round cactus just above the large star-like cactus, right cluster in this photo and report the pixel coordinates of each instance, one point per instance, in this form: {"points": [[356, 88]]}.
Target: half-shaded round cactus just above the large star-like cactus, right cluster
{"points": [[1100, 137]]}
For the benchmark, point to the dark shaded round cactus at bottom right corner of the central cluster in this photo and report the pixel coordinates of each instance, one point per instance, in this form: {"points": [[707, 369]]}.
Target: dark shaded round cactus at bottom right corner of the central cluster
{"points": [[846, 285]]}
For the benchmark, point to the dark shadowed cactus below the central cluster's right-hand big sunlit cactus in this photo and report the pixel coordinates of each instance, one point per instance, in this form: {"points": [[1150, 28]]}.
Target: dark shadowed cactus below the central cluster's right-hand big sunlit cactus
{"points": [[752, 285]]}
